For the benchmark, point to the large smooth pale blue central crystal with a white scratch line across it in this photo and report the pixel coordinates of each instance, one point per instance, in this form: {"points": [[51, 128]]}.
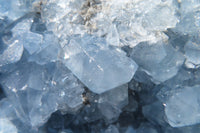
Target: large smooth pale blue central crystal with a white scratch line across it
{"points": [[99, 67]]}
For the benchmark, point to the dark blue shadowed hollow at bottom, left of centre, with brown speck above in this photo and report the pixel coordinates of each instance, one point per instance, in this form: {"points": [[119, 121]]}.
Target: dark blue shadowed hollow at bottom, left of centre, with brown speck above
{"points": [[77, 123]]}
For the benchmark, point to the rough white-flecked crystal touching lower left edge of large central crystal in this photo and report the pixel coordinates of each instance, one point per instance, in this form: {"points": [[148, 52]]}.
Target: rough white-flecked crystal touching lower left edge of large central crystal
{"points": [[70, 88]]}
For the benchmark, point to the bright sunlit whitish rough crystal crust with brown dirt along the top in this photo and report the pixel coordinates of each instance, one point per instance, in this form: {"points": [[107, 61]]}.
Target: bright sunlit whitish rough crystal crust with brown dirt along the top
{"points": [[130, 21]]}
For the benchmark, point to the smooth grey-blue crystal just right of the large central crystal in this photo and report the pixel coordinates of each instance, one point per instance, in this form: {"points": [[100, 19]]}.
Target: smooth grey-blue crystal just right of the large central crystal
{"points": [[159, 60]]}
